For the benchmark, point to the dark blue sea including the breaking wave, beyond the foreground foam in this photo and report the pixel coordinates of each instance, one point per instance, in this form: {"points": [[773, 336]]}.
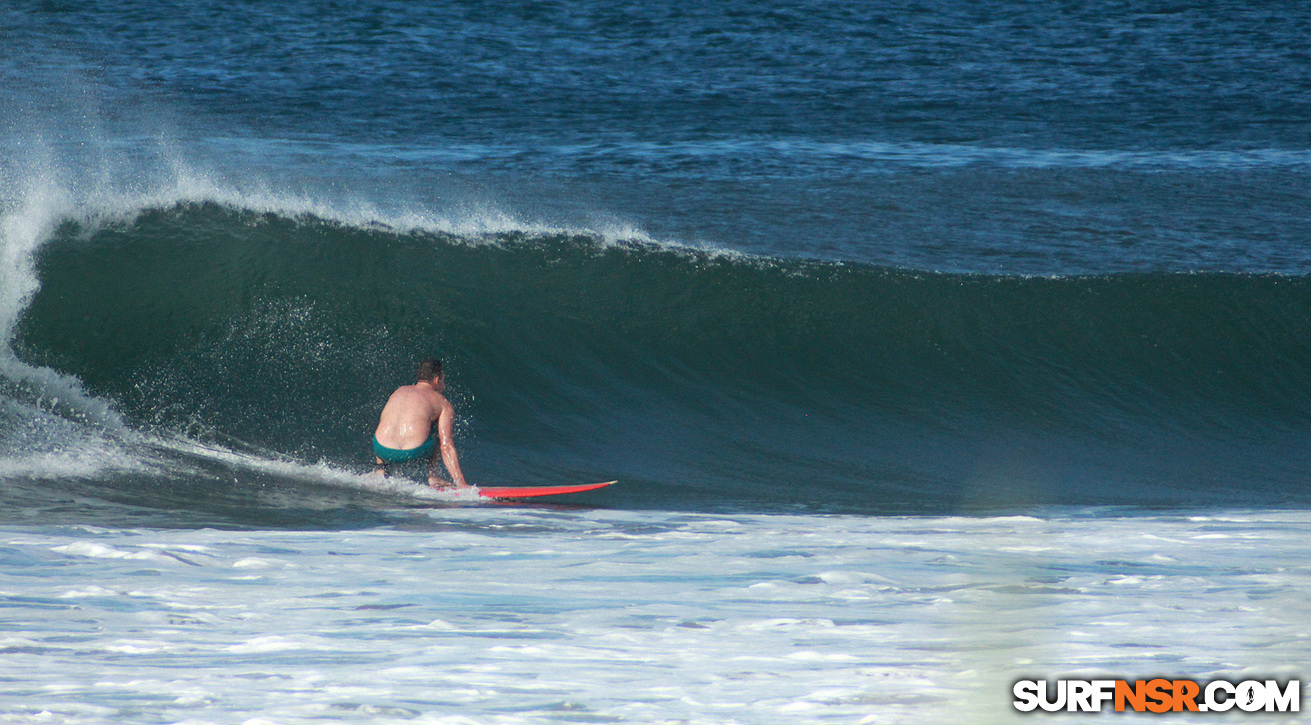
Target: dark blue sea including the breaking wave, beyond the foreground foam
{"points": [[837, 258]]}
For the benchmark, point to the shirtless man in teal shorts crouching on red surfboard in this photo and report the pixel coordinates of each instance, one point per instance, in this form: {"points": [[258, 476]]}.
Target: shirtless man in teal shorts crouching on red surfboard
{"points": [[406, 428]]}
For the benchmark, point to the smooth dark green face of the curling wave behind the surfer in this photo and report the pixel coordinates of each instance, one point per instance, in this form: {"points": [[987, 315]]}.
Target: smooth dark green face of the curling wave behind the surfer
{"points": [[701, 380]]}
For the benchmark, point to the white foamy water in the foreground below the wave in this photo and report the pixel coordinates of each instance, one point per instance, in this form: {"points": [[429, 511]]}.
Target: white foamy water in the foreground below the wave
{"points": [[525, 616]]}
